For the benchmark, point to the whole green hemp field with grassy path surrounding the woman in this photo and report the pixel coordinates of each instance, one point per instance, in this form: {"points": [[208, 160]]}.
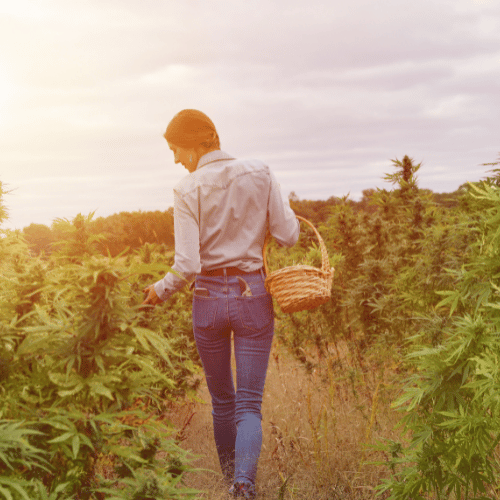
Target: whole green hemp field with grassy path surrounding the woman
{"points": [[390, 390]]}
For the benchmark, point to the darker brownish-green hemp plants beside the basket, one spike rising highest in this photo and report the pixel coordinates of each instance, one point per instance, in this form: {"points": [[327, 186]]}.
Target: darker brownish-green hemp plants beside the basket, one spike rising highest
{"points": [[376, 247]]}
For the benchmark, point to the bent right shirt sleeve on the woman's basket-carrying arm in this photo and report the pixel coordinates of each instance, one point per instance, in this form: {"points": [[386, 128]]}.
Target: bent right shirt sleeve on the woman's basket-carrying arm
{"points": [[283, 224]]}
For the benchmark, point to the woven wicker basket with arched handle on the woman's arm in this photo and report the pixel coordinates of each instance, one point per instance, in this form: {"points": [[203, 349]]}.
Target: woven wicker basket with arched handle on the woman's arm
{"points": [[299, 288]]}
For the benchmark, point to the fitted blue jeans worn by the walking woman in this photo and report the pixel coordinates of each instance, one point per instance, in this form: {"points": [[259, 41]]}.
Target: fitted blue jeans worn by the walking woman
{"points": [[236, 414]]}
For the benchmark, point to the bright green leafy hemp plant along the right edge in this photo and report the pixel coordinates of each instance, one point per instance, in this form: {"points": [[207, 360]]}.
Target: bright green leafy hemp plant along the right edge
{"points": [[451, 404]]}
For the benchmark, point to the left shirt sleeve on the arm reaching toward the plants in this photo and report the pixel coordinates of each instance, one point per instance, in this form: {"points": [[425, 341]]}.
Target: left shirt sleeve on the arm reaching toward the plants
{"points": [[187, 250]]}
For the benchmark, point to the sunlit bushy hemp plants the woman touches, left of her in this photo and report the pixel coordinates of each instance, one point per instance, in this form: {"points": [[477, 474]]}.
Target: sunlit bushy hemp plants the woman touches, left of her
{"points": [[86, 381]]}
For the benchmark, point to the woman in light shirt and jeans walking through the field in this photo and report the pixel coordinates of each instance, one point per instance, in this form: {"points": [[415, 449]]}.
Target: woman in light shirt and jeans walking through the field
{"points": [[222, 212]]}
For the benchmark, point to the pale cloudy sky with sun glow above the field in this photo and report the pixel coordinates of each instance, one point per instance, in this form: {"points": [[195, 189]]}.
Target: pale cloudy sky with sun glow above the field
{"points": [[327, 93]]}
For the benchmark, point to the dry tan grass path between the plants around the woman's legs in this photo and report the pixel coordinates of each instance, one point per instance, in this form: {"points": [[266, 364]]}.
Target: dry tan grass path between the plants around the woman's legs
{"points": [[315, 428]]}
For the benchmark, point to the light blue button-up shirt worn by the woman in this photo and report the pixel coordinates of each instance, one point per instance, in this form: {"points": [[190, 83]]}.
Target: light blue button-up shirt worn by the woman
{"points": [[222, 212]]}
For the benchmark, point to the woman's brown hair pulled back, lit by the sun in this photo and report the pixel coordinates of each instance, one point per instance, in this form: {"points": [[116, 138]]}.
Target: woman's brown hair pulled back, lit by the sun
{"points": [[191, 128]]}
